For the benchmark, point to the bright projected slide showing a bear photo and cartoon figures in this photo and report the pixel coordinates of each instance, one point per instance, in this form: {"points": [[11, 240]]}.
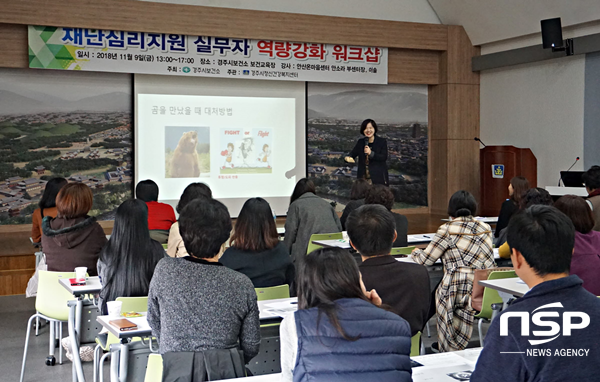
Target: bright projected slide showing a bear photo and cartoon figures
{"points": [[240, 146]]}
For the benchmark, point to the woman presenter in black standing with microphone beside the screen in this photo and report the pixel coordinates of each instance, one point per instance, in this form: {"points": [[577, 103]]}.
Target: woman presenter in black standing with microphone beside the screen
{"points": [[372, 155]]}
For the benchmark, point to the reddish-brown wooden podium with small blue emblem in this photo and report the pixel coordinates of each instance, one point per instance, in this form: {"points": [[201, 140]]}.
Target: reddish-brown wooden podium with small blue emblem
{"points": [[499, 164]]}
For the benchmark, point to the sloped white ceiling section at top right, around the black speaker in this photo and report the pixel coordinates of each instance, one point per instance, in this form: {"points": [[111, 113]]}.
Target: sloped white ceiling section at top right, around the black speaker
{"points": [[487, 21]]}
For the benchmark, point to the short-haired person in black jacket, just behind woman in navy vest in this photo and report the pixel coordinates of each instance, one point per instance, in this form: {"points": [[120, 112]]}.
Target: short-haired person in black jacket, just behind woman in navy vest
{"points": [[403, 286]]}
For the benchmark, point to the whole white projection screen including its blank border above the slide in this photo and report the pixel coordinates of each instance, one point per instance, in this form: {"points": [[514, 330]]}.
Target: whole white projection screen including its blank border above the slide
{"points": [[243, 138]]}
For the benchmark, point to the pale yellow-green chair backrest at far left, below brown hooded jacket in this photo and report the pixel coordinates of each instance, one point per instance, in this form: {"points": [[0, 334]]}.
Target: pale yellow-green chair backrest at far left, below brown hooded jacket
{"points": [[52, 298]]}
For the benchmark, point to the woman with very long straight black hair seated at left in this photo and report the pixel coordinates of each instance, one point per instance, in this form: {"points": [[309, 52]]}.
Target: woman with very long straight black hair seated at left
{"points": [[127, 261]]}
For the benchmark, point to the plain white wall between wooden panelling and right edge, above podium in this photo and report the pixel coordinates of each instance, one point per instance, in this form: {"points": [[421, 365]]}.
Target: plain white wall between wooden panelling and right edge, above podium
{"points": [[539, 106]]}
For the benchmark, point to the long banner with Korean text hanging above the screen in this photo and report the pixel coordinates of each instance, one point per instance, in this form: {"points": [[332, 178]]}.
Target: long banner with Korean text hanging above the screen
{"points": [[176, 54]]}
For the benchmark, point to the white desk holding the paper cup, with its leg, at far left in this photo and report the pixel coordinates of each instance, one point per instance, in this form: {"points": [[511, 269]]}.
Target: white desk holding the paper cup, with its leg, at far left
{"points": [[92, 286]]}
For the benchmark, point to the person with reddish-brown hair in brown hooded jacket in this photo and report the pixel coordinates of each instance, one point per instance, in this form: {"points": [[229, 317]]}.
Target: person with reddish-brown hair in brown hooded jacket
{"points": [[72, 239]]}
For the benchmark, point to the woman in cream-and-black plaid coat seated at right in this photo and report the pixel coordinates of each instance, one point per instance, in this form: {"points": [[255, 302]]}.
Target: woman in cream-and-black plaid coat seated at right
{"points": [[463, 244]]}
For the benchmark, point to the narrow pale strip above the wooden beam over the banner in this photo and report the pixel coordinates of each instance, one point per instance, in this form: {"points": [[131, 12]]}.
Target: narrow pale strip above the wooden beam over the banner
{"points": [[417, 11]]}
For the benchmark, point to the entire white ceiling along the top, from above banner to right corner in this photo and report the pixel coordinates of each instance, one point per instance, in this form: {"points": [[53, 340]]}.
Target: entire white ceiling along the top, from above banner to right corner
{"points": [[491, 22]]}
